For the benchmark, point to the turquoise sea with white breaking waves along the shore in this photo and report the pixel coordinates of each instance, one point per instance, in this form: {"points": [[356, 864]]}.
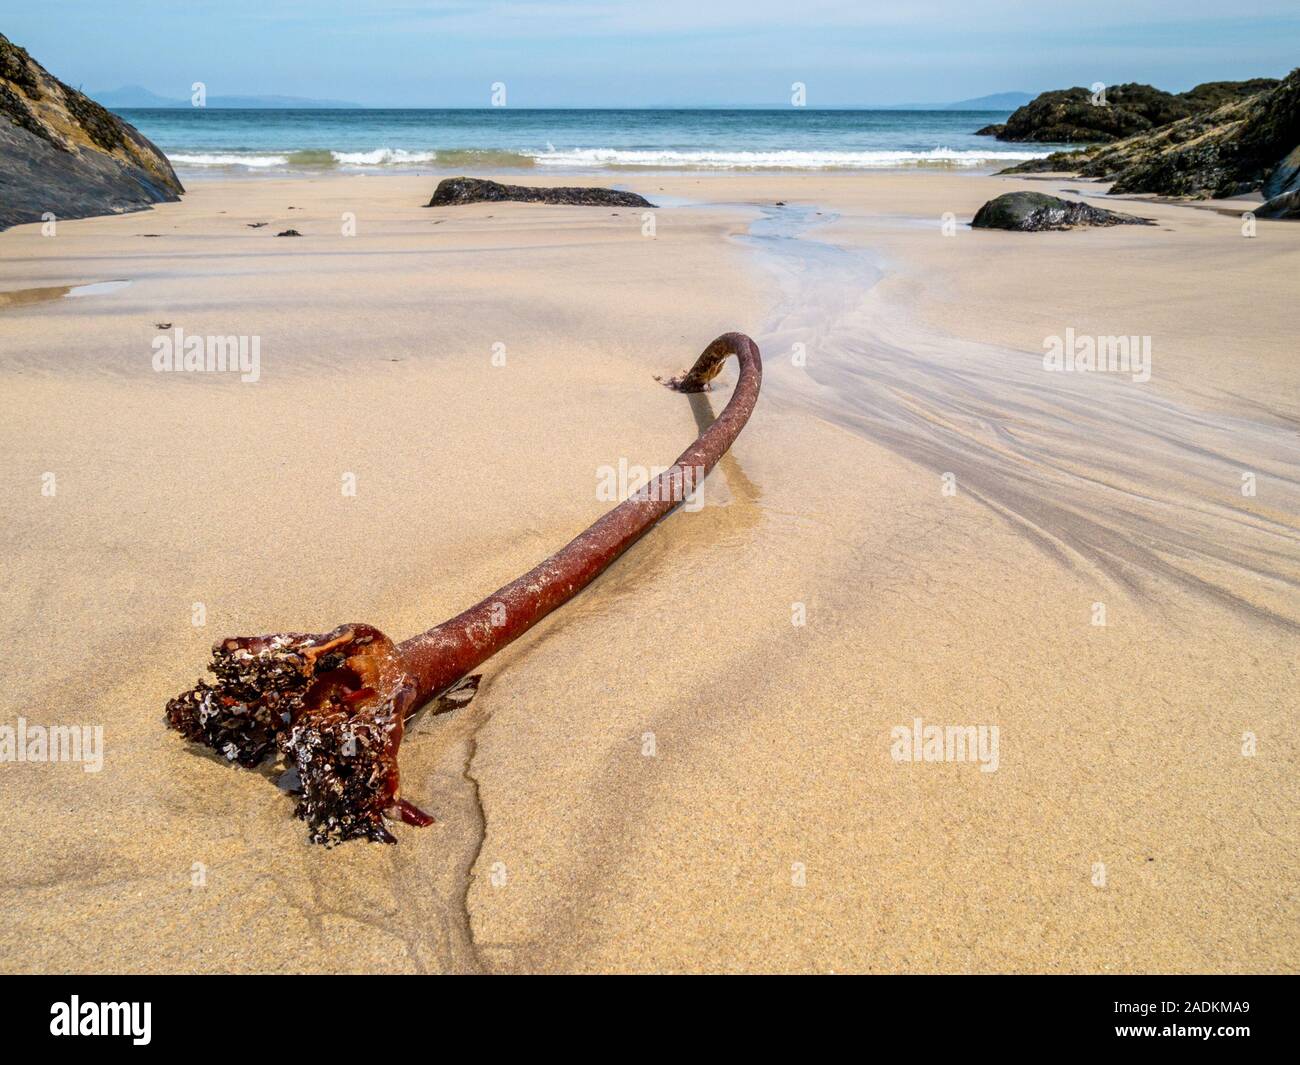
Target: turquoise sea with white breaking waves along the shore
{"points": [[211, 140]]}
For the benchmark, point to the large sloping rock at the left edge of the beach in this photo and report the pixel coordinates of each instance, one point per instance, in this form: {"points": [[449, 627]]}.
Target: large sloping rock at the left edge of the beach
{"points": [[63, 153]]}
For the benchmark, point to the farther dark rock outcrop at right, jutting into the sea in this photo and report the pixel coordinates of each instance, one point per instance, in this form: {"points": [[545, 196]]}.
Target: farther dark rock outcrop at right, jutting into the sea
{"points": [[1072, 116]]}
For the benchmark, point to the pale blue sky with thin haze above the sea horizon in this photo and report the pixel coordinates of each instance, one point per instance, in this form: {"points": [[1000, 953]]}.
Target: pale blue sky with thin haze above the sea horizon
{"points": [[649, 53]]}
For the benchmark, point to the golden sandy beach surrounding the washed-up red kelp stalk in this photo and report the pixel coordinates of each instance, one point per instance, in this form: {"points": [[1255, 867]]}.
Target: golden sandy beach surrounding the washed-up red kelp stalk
{"points": [[691, 768]]}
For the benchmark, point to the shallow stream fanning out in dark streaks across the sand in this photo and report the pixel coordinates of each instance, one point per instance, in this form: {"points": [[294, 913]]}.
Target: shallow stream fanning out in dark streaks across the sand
{"points": [[1098, 470]]}
